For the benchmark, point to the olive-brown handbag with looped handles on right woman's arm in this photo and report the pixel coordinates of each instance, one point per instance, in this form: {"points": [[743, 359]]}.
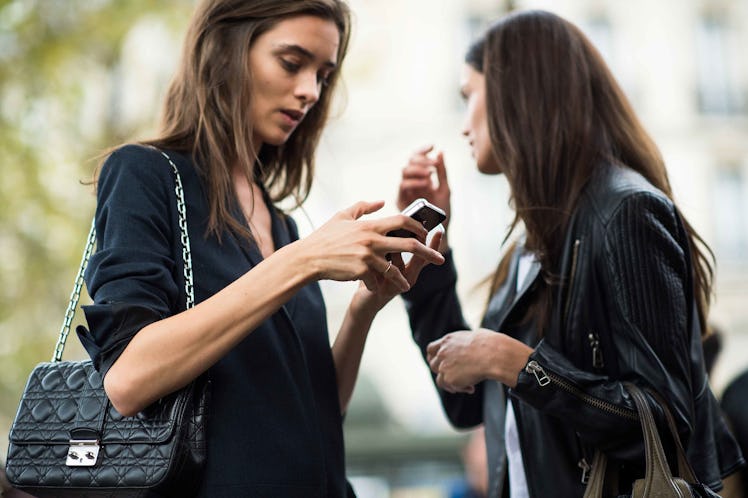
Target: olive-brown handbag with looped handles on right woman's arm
{"points": [[658, 481]]}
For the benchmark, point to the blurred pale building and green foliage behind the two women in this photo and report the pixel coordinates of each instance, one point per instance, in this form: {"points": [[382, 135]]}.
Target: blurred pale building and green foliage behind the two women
{"points": [[77, 76]]}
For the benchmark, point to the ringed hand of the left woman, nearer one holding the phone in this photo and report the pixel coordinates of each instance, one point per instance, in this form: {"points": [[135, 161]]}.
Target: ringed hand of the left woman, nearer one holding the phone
{"points": [[347, 248]]}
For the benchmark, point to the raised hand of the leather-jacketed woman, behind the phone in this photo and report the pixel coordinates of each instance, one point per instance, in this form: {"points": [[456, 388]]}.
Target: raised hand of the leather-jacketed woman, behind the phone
{"points": [[417, 180]]}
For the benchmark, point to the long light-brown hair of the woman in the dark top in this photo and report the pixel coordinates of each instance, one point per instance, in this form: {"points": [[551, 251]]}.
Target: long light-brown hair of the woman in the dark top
{"points": [[205, 109]]}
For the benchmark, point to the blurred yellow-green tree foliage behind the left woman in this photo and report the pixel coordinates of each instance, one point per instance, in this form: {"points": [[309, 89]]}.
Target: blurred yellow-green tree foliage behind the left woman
{"points": [[54, 54]]}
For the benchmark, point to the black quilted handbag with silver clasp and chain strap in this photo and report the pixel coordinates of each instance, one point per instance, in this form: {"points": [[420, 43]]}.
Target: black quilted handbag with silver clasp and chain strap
{"points": [[67, 440]]}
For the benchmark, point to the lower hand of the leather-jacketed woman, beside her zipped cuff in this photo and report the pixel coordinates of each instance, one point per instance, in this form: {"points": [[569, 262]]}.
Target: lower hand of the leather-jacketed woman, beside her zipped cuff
{"points": [[462, 359]]}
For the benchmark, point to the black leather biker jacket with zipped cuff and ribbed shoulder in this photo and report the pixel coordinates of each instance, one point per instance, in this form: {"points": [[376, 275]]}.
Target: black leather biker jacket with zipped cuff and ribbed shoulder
{"points": [[625, 311]]}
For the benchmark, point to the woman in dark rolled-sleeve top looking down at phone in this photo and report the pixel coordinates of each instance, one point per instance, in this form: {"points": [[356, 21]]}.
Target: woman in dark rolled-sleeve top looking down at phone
{"points": [[242, 119]]}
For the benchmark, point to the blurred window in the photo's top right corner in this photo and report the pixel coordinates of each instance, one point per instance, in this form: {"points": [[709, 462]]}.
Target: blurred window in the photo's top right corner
{"points": [[718, 89]]}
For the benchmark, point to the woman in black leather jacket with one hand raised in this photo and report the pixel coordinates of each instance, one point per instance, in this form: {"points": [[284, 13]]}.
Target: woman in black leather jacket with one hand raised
{"points": [[608, 283]]}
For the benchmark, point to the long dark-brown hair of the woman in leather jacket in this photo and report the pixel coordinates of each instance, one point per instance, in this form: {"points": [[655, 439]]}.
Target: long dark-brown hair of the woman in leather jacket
{"points": [[555, 113]]}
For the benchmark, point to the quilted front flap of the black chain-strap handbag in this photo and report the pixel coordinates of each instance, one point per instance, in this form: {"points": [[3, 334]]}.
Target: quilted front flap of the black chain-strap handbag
{"points": [[65, 395]]}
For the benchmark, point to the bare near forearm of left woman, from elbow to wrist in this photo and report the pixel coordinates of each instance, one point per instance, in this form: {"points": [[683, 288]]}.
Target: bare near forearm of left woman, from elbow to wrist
{"points": [[168, 354]]}
